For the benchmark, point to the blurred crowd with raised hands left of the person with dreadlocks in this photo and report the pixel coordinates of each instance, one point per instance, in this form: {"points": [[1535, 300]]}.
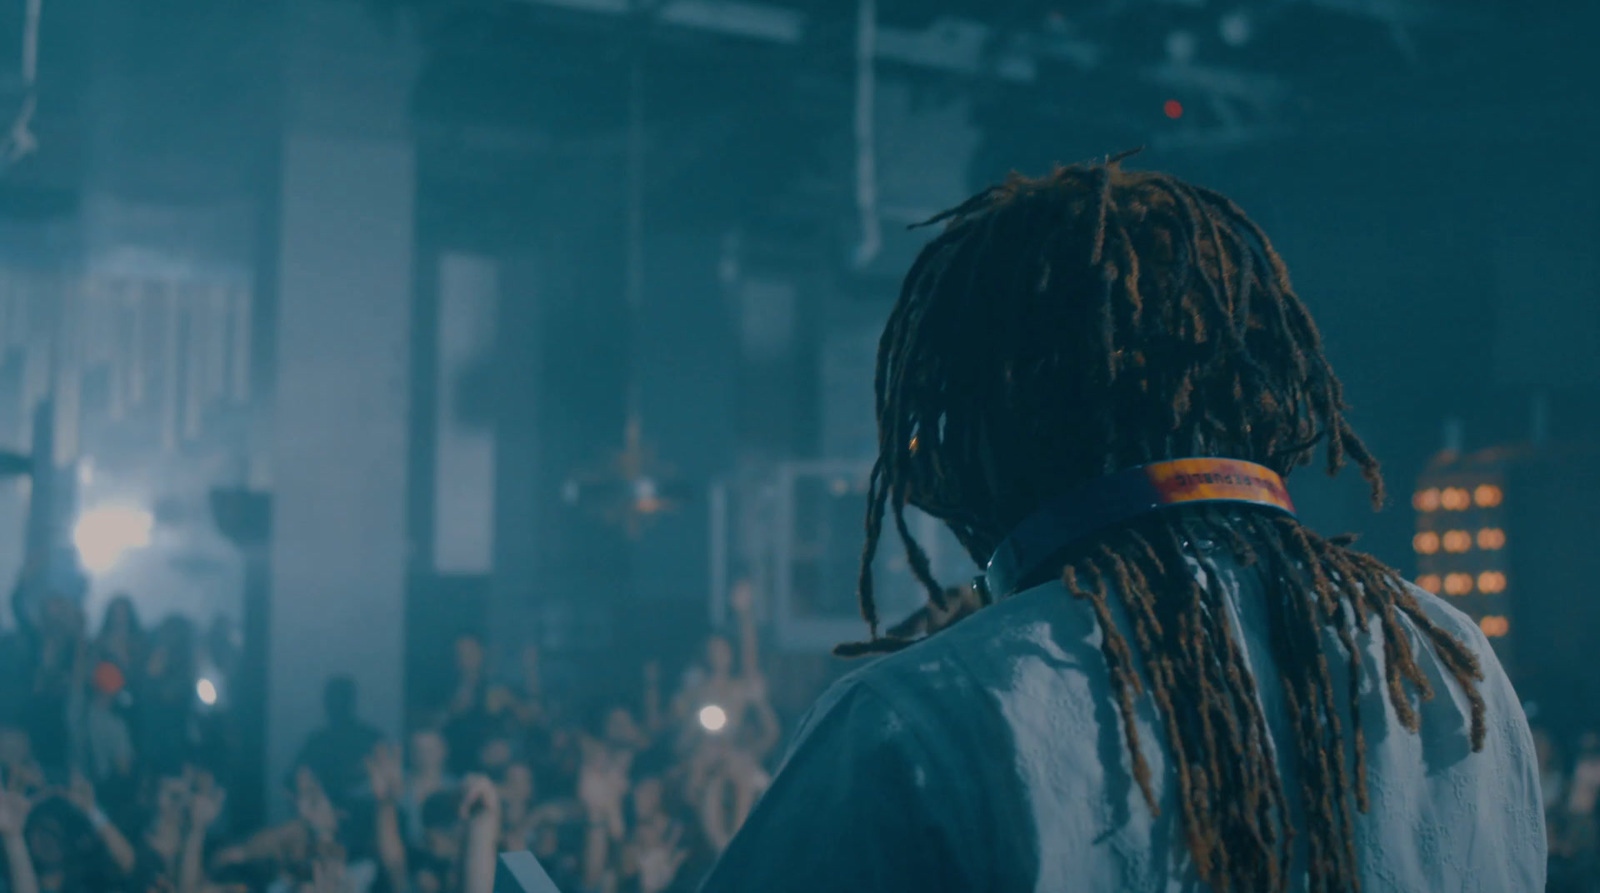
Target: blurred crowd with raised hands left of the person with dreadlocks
{"points": [[114, 772]]}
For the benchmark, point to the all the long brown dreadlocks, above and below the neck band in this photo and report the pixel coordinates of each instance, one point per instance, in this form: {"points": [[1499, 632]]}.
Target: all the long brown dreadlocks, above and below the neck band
{"points": [[1066, 327]]}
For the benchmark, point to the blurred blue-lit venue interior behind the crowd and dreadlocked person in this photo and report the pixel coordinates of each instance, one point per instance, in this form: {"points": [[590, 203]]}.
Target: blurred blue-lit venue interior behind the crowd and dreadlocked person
{"points": [[350, 332]]}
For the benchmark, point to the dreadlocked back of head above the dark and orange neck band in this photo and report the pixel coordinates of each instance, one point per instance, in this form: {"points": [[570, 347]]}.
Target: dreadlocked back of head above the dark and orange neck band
{"points": [[1084, 322]]}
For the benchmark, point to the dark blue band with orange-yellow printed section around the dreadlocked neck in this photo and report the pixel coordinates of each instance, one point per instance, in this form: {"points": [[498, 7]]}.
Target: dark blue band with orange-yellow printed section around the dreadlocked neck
{"points": [[1122, 497]]}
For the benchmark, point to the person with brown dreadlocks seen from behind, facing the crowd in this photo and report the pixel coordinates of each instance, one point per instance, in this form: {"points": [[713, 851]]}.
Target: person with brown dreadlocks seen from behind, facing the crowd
{"points": [[1100, 380]]}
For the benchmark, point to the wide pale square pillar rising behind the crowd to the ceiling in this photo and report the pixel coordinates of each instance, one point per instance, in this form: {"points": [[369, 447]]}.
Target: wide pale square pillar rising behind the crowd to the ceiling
{"points": [[340, 430]]}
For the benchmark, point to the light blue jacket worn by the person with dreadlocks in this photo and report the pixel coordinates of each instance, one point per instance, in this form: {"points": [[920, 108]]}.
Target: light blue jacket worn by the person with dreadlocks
{"points": [[991, 759]]}
